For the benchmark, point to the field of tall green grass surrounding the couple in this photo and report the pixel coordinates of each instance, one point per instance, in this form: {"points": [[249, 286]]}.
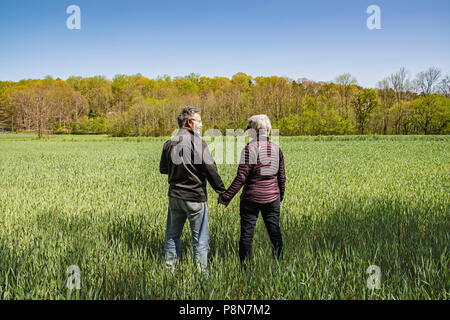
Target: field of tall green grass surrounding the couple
{"points": [[101, 204]]}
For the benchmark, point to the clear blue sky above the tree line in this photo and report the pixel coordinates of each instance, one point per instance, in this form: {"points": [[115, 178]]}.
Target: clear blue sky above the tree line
{"points": [[314, 39]]}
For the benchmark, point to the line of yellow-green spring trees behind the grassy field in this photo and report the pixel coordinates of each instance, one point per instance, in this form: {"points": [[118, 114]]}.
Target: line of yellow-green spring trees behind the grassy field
{"points": [[138, 106]]}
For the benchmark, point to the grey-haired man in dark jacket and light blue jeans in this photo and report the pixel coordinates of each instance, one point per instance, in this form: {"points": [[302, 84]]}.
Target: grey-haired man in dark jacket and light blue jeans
{"points": [[188, 162]]}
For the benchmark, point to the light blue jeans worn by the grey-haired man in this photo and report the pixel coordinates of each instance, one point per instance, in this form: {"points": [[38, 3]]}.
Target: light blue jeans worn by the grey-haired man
{"points": [[197, 214]]}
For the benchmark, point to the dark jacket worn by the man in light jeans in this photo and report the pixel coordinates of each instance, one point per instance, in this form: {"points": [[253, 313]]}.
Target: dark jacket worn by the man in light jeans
{"points": [[188, 162]]}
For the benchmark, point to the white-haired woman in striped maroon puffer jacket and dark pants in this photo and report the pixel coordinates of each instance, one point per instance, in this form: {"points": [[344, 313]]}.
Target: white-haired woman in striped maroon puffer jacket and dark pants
{"points": [[261, 172]]}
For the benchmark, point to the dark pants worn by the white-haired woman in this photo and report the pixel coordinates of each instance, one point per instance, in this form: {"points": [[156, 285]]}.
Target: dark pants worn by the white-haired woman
{"points": [[271, 216]]}
